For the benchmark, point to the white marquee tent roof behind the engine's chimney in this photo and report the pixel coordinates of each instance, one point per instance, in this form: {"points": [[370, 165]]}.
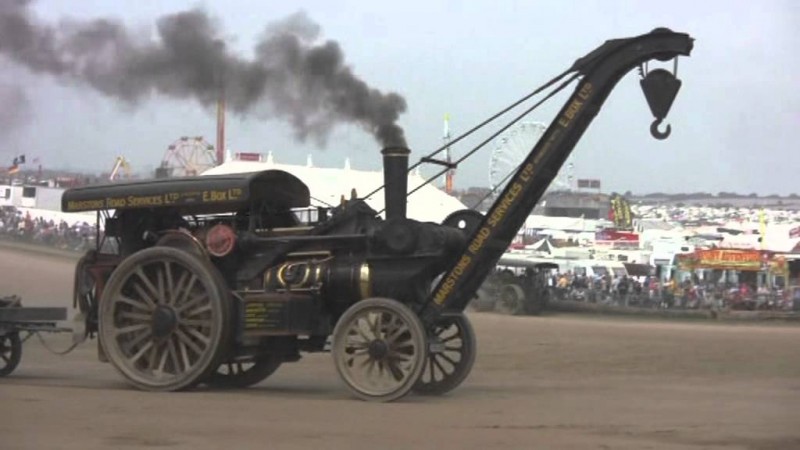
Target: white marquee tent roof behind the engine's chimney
{"points": [[327, 185]]}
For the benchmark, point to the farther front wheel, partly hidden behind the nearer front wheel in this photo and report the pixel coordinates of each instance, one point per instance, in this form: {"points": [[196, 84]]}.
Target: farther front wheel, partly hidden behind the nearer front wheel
{"points": [[451, 355]]}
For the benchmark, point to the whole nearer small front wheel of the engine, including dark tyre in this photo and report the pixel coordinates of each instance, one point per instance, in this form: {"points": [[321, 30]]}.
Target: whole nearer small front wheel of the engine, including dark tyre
{"points": [[379, 348]]}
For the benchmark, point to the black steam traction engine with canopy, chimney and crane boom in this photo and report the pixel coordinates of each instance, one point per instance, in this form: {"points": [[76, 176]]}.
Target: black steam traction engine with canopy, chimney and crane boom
{"points": [[219, 280]]}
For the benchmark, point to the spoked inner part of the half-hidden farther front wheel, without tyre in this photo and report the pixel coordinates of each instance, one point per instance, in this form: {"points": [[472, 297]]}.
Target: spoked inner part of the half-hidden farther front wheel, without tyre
{"points": [[441, 365]]}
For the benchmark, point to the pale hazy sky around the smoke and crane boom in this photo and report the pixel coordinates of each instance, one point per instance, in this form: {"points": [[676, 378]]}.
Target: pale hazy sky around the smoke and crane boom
{"points": [[733, 121]]}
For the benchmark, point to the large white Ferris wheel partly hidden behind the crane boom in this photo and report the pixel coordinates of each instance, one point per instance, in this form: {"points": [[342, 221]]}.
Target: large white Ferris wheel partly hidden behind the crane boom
{"points": [[511, 148]]}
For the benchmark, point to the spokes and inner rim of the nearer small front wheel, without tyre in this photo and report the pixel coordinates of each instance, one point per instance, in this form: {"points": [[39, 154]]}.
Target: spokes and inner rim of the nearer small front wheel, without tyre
{"points": [[379, 376]]}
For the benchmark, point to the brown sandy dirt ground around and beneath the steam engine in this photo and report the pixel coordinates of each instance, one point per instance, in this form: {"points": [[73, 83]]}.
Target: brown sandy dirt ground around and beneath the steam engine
{"points": [[557, 382]]}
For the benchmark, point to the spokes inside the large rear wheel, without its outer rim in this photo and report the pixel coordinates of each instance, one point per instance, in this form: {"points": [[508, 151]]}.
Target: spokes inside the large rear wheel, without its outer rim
{"points": [[162, 355]]}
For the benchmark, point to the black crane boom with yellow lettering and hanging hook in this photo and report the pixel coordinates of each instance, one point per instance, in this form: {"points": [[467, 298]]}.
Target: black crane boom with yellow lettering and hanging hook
{"points": [[601, 69]]}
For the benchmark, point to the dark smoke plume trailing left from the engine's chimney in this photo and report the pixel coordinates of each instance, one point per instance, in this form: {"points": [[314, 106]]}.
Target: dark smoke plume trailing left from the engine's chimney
{"points": [[294, 75]]}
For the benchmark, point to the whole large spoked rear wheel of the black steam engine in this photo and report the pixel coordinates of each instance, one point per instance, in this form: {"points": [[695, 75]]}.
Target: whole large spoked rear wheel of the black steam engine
{"points": [[165, 319]]}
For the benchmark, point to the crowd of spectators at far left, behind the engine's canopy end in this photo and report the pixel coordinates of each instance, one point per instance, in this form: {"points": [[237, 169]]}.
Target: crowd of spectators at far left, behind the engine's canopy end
{"points": [[21, 226]]}
